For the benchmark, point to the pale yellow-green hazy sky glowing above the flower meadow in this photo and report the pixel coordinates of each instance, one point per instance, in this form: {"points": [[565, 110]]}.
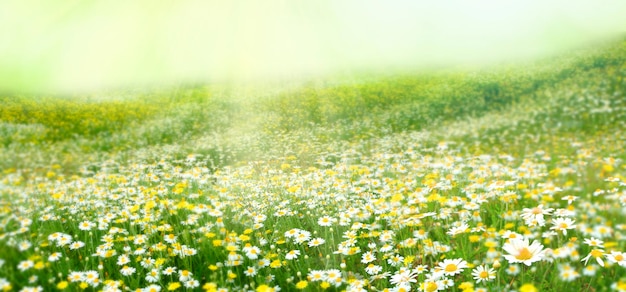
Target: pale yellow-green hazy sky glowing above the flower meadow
{"points": [[76, 45]]}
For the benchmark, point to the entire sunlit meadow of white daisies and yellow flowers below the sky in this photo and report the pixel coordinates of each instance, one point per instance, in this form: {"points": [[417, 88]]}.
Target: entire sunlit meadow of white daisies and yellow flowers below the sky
{"points": [[505, 178]]}
